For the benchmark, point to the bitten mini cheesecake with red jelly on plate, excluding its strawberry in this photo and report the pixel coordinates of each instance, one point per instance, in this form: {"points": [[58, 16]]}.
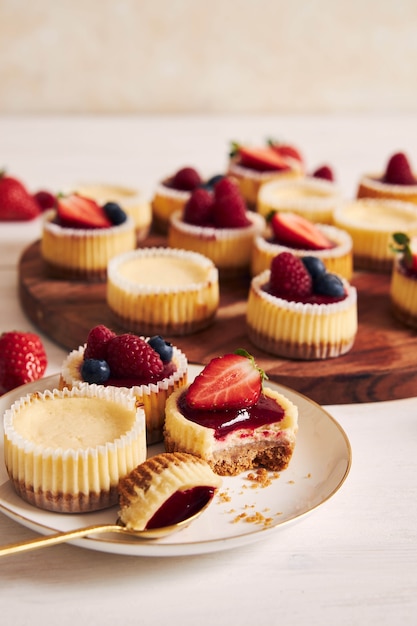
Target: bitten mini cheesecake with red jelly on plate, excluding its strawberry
{"points": [[234, 440]]}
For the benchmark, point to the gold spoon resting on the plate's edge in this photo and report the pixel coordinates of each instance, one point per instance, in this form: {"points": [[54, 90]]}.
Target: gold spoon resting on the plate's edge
{"points": [[51, 540]]}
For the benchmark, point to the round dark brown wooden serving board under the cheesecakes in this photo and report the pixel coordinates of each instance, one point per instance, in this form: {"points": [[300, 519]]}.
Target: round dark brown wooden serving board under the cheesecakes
{"points": [[382, 364]]}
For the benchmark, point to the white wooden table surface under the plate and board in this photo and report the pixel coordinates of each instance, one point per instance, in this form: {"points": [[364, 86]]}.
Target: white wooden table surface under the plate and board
{"points": [[354, 559]]}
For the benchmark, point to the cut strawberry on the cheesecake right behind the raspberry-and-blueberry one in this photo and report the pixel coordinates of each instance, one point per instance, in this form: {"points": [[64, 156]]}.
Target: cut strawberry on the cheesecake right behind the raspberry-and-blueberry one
{"points": [[295, 231]]}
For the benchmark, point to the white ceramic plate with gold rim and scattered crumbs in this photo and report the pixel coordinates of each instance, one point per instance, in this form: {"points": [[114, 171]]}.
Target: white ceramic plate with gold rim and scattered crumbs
{"points": [[242, 513]]}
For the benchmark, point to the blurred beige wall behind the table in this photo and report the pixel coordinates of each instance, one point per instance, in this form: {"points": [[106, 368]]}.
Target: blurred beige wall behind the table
{"points": [[208, 56]]}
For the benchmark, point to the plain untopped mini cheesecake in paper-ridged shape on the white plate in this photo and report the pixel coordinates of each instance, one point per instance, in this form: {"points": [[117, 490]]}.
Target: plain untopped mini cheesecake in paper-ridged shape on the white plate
{"points": [[65, 451]]}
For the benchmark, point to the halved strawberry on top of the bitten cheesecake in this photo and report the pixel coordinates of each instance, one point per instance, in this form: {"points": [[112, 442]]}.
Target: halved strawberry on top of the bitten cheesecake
{"points": [[231, 381]]}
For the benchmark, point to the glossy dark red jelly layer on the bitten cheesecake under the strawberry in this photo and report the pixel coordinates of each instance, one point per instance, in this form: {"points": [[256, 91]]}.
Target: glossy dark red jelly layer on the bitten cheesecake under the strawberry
{"points": [[265, 411]]}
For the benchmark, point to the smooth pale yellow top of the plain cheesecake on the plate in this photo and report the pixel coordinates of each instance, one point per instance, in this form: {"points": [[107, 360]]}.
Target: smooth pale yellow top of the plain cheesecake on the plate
{"points": [[76, 423]]}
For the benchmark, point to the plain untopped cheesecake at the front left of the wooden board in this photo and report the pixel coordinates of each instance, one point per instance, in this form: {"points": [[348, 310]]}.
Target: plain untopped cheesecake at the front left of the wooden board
{"points": [[163, 290]]}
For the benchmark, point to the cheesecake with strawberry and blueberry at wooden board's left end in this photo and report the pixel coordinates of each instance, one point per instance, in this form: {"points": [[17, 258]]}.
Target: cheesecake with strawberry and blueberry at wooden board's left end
{"points": [[79, 237]]}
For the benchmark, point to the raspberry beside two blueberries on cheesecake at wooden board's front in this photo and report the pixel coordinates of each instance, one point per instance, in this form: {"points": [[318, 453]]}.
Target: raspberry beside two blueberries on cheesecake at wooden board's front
{"points": [[289, 277]]}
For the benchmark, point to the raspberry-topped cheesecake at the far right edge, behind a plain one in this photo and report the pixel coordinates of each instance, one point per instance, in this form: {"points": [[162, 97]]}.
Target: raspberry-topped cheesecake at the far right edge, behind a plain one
{"points": [[397, 182]]}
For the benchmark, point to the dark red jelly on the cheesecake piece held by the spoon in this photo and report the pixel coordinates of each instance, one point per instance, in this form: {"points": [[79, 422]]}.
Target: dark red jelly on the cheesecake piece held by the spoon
{"points": [[181, 506]]}
